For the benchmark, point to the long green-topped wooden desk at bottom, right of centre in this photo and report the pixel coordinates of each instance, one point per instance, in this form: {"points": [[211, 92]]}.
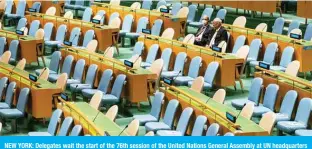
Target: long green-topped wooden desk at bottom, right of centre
{"points": [[214, 111]]}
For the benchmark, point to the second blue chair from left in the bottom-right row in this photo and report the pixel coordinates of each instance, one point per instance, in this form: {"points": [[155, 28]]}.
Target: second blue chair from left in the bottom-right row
{"points": [[268, 101]]}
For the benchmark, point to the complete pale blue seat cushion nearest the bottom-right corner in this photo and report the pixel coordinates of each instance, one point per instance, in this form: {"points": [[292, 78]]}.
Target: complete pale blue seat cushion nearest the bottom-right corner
{"points": [[290, 126]]}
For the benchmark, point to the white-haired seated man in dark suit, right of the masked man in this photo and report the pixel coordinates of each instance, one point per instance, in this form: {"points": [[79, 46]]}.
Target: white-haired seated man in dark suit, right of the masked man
{"points": [[218, 33]]}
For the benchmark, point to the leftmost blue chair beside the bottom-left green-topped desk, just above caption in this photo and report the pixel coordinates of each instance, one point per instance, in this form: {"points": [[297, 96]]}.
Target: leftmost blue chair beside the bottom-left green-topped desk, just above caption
{"points": [[52, 127]]}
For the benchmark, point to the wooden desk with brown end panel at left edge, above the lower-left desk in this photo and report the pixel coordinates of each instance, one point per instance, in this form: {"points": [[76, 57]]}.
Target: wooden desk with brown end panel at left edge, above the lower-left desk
{"points": [[27, 44]]}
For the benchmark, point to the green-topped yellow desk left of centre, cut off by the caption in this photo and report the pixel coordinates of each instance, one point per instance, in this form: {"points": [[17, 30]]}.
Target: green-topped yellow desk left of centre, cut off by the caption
{"points": [[92, 121]]}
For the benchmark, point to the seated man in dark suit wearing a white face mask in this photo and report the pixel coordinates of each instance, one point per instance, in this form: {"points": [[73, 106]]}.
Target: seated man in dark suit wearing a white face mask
{"points": [[202, 34]]}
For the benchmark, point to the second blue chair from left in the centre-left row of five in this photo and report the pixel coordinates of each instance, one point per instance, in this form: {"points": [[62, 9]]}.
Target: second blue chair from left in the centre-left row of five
{"points": [[66, 68]]}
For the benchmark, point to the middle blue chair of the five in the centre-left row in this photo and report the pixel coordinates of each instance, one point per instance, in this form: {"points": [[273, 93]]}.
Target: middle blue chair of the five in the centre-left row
{"points": [[78, 73]]}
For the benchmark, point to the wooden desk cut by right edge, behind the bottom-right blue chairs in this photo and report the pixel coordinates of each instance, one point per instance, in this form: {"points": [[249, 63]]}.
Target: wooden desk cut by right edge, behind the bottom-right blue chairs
{"points": [[286, 83]]}
